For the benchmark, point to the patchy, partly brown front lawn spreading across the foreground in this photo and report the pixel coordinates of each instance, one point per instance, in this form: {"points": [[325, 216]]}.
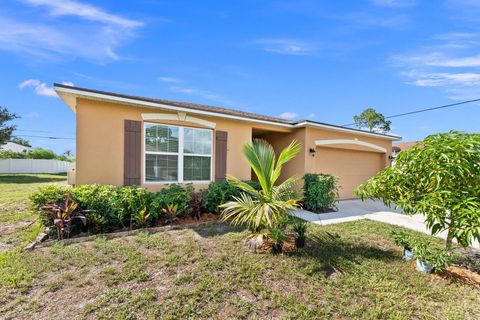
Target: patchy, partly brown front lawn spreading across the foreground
{"points": [[349, 270]]}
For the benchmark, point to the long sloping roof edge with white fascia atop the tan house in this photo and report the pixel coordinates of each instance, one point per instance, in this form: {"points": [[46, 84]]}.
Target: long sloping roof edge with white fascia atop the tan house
{"points": [[69, 93]]}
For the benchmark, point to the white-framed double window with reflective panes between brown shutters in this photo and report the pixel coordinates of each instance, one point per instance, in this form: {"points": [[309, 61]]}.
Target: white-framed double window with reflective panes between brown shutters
{"points": [[177, 154]]}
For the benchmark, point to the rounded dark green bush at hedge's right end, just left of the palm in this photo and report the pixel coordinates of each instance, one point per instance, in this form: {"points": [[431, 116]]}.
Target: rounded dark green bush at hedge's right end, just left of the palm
{"points": [[221, 192]]}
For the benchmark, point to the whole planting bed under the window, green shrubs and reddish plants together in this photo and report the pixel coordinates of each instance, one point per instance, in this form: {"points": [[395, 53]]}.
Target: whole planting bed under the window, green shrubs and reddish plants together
{"points": [[108, 208]]}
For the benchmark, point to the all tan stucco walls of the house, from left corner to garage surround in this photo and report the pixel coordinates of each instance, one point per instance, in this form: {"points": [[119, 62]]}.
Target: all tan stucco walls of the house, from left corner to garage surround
{"points": [[100, 142]]}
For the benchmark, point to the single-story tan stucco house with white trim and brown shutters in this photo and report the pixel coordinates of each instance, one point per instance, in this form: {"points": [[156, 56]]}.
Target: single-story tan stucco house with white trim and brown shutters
{"points": [[131, 140]]}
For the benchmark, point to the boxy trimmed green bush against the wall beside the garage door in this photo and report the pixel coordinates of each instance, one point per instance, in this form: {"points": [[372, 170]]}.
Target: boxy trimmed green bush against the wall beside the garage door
{"points": [[320, 192]]}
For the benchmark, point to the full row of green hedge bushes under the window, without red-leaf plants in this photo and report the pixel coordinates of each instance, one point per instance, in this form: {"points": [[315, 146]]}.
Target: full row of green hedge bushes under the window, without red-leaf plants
{"points": [[111, 207]]}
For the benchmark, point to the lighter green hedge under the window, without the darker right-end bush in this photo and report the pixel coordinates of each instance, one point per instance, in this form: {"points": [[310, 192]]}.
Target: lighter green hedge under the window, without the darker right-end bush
{"points": [[110, 207]]}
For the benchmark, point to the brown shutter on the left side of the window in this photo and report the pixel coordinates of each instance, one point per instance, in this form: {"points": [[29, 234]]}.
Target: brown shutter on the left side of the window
{"points": [[132, 153]]}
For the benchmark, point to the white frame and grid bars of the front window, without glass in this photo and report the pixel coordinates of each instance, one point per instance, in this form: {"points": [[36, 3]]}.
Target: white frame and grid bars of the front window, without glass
{"points": [[180, 154]]}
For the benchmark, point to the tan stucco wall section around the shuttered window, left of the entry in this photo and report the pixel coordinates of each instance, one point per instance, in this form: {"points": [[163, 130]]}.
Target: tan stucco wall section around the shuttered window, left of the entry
{"points": [[100, 141]]}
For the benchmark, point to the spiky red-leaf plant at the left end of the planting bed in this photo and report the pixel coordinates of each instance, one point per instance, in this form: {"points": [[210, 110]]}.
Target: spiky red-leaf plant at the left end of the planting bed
{"points": [[63, 214]]}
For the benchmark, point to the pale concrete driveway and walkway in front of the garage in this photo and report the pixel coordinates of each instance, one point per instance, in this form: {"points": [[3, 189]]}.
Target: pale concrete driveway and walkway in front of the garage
{"points": [[351, 210]]}
